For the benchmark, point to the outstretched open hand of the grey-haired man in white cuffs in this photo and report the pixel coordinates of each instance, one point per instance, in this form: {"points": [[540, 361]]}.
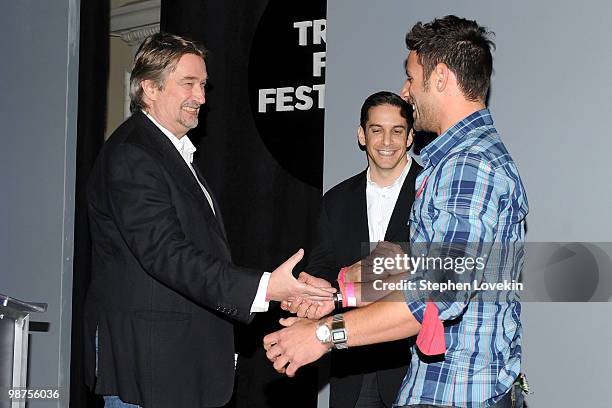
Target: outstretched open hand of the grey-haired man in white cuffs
{"points": [[283, 286]]}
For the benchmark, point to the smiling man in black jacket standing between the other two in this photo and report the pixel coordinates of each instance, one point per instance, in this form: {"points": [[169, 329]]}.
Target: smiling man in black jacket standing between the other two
{"points": [[371, 206]]}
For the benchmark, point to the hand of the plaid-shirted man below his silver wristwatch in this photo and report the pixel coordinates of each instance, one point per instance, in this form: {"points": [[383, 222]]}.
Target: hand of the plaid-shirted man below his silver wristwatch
{"points": [[294, 346]]}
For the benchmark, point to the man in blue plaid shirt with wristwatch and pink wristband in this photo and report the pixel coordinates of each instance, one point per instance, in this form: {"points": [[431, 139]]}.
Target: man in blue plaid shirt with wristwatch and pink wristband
{"points": [[470, 202]]}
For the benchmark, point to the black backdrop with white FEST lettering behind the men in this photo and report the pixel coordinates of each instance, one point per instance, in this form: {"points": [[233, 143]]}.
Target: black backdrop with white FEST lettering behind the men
{"points": [[260, 146]]}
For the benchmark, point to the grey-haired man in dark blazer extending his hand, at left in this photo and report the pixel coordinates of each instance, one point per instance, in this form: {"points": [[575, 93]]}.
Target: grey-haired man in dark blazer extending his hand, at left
{"points": [[164, 288]]}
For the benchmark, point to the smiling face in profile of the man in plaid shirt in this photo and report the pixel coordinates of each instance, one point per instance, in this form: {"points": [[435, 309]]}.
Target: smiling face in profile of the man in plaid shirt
{"points": [[418, 93]]}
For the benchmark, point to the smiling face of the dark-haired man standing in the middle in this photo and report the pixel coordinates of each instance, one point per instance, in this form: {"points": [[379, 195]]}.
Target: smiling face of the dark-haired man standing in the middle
{"points": [[386, 138]]}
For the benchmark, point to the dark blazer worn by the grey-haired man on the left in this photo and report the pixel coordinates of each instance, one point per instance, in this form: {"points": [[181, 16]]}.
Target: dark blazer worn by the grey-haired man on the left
{"points": [[163, 286]]}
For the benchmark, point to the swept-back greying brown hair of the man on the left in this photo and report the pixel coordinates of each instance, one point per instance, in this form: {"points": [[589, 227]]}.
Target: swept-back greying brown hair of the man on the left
{"points": [[156, 57]]}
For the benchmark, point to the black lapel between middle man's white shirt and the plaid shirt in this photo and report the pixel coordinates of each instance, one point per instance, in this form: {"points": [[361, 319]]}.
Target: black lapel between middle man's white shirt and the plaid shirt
{"points": [[398, 229]]}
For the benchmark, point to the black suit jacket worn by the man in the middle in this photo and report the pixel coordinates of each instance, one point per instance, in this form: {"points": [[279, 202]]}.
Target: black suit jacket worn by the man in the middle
{"points": [[343, 227]]}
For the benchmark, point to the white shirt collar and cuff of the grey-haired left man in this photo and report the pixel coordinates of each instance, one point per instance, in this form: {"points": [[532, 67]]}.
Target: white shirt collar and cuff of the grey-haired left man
{"points": [[186, 148]]}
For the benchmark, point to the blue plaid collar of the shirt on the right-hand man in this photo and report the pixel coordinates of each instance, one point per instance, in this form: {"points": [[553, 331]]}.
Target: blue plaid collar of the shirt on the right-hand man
{"points": [[440, 146]]}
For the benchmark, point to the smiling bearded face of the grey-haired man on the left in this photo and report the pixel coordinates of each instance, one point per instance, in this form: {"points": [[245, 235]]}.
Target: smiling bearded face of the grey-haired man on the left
{"points": [[177, 104]]}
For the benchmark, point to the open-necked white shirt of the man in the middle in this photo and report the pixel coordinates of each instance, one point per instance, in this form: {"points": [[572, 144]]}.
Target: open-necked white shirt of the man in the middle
{"points": [[381, 202]]}
